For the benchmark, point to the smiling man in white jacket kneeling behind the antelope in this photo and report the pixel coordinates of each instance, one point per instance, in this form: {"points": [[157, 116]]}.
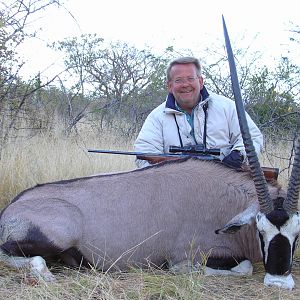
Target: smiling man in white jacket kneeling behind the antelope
{"points": [[191, 115]]}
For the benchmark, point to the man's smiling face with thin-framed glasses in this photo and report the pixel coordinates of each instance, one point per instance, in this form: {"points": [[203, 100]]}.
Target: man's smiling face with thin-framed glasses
{"points": [[185, 85]]}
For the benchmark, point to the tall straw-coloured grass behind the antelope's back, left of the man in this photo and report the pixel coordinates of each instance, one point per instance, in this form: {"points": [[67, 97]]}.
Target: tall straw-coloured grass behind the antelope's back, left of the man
{"points": [[45, 158]]}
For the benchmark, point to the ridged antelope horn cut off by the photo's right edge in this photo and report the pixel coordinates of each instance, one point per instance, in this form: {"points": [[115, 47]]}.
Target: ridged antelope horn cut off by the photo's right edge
{"points": [[291, 202]]}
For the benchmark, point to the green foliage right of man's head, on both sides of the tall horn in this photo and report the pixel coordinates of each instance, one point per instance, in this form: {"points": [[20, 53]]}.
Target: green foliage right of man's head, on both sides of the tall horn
{"points": [[271, 94]]}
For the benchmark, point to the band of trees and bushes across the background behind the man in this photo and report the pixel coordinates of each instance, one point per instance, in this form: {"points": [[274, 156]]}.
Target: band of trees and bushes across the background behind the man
{"points": [[115, 85]]}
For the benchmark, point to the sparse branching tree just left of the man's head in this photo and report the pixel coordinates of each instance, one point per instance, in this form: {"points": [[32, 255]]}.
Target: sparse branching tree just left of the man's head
{"points": [[115, 77]]}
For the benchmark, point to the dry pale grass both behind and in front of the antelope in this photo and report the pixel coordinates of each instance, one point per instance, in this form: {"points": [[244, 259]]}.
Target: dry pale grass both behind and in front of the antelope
{"points": [[44, 159]]}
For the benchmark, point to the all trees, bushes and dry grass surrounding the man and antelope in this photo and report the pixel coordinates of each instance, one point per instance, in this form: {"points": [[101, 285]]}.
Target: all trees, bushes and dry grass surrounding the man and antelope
{"points": [[46, 125]]}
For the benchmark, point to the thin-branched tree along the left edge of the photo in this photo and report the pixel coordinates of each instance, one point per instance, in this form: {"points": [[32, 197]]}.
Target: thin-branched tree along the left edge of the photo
{"points": [[14, 93]]}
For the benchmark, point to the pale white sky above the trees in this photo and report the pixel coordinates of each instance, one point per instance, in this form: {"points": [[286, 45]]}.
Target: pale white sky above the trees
{"points": [[157, 24]]}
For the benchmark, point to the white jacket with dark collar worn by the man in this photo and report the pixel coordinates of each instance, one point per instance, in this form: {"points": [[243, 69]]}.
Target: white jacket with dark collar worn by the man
{"points": [[160, 131]]}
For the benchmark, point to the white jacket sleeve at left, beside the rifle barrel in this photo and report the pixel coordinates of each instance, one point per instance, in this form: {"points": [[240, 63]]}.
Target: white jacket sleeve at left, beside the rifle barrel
{"points": [[150, 138]]}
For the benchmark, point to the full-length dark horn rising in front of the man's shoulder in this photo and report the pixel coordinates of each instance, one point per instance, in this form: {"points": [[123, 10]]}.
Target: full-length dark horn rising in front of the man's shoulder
{"points": [[266, 205]]}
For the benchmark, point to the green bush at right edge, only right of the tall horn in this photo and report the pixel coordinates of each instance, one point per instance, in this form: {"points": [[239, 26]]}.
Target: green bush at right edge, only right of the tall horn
{"points": [[273, 98]]}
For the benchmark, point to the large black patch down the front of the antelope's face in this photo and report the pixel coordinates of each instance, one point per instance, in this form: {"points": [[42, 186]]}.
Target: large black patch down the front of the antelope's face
{"points": [[279, 256]]}
